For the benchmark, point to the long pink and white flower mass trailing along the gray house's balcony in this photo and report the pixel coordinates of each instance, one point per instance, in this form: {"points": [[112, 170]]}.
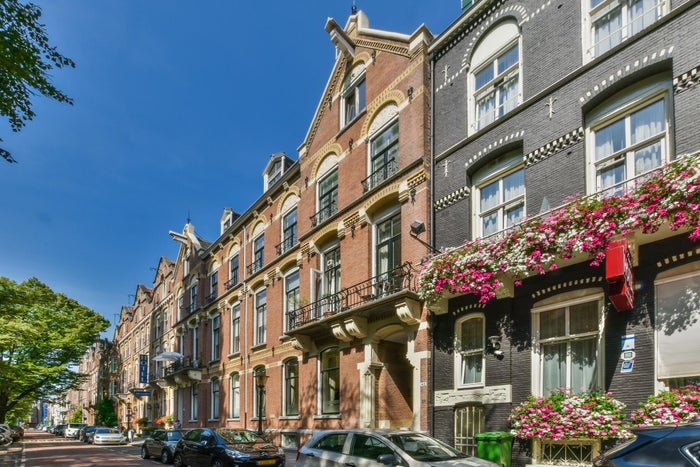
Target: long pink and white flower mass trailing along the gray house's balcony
{"points": [[670, 195]]}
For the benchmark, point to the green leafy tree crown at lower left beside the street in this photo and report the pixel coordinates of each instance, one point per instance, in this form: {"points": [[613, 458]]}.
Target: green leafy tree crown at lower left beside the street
{"points": [[43, 334]]}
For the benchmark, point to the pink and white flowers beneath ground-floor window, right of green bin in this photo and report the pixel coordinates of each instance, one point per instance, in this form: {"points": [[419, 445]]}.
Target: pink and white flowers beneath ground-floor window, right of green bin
{"points": [[564, 415]]}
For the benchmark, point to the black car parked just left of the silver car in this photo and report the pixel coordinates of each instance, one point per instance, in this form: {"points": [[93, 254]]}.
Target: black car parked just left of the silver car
{"points": [[226, 447]]}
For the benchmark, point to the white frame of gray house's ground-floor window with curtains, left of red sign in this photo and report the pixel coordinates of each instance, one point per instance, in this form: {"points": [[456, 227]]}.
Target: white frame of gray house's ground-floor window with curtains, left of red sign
{"points": [[567, 300]]}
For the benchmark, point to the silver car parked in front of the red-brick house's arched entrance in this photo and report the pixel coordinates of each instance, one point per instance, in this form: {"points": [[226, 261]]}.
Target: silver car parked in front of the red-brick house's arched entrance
{"points": [[381, 447]]}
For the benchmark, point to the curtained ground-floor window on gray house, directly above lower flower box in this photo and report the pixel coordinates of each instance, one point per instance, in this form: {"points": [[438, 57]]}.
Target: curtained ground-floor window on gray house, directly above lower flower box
{"points": [[567, 344]]}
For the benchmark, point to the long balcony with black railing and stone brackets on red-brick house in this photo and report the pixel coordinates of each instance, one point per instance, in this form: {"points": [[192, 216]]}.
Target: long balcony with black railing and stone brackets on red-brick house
{"points": [[367, 297]]}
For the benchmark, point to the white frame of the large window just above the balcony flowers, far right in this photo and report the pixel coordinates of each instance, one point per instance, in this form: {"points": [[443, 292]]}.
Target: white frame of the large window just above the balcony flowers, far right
{"points": [[619, 107]]}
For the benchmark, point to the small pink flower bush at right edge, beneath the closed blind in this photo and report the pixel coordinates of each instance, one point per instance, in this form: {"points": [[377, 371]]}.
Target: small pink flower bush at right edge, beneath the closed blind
{"points": [[669, 407]]}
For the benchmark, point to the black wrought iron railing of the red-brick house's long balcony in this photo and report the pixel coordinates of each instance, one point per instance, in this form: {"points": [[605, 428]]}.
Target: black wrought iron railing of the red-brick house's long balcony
{"points": [[380, 286]]}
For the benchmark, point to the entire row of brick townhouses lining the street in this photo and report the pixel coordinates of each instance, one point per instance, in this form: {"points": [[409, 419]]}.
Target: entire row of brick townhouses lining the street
{"points": [[309, 311]]}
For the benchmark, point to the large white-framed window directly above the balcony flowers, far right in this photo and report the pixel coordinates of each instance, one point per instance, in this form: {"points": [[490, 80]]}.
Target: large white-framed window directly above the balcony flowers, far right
{"points": [[628, 135]]}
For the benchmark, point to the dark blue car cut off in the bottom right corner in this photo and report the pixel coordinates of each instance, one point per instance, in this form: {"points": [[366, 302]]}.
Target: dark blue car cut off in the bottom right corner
{"points": [[667, 445]]}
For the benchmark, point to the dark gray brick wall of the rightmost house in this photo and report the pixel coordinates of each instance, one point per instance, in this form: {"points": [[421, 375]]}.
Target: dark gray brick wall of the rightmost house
{"points": [[554, 149]]}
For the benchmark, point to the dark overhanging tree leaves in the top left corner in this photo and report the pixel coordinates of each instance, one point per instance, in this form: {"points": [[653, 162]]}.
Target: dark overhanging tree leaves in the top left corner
{"points": [[26, 58]]}
